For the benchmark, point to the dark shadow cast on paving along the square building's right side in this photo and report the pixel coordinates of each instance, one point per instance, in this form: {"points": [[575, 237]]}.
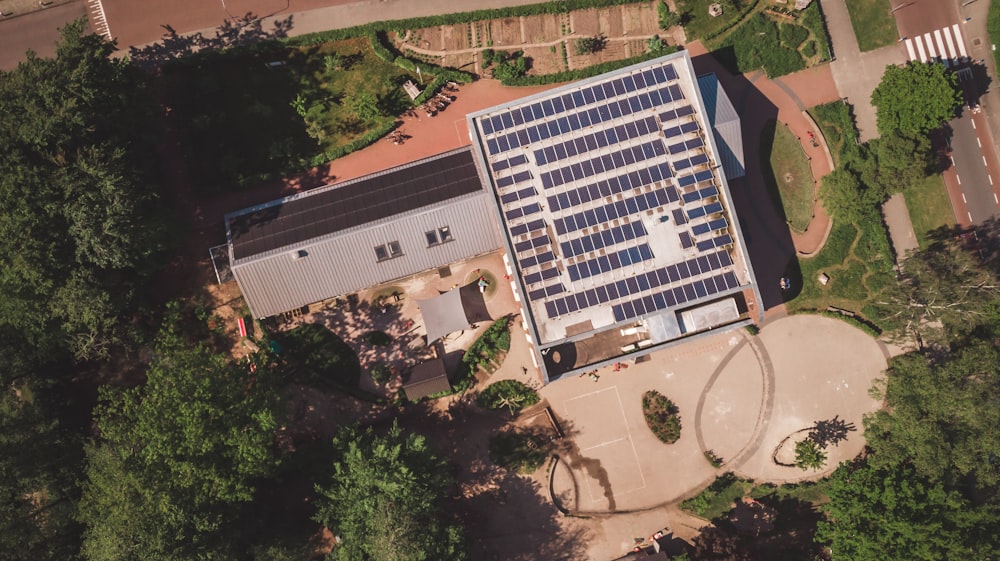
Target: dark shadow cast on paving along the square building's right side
{"points": [[768, 240]]}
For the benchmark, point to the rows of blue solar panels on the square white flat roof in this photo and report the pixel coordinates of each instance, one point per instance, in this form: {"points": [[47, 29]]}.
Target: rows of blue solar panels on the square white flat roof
{"points": [[578, 173]]}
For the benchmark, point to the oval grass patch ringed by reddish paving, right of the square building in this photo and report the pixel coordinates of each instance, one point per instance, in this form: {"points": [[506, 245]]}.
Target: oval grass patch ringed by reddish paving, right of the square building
{"points": [[791, 174]]}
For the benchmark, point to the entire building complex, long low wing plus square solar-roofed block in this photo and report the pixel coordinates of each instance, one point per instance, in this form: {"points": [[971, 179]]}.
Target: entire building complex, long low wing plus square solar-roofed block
{"points": [[609, 197]]}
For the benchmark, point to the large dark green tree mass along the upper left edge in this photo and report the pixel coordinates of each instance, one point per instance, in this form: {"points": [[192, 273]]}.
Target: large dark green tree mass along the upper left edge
{"points": [[78, 219]]}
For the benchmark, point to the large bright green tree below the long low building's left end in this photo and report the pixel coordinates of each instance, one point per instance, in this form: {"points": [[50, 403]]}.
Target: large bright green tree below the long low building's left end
{"points": [[178, 455]]}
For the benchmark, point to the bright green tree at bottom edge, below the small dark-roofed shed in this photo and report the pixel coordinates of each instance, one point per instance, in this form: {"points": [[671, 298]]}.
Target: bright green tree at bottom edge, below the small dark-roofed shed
{"points": [[384, 499]]}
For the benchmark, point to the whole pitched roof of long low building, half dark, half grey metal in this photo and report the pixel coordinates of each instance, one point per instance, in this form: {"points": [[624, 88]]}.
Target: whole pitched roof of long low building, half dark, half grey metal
{"points": [[291, 263]]}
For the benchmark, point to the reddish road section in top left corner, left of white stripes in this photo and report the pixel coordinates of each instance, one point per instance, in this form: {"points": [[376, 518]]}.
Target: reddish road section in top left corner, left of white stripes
{"points": [[37, 31]]}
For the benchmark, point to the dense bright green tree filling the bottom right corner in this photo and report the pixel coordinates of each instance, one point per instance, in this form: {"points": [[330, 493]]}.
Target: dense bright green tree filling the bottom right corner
{"points": [[894, 514]]}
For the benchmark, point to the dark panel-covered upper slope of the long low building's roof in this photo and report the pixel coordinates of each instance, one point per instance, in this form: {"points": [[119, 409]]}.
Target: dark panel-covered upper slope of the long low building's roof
{"points": [[335, 208]]}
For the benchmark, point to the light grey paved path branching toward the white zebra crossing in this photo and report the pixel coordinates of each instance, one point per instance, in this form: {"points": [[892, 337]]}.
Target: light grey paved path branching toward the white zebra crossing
{"points": [[857, 74]]}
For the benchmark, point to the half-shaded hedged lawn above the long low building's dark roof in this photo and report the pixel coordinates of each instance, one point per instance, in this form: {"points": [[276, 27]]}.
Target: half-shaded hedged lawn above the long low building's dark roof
{"points": [[243, 121]]}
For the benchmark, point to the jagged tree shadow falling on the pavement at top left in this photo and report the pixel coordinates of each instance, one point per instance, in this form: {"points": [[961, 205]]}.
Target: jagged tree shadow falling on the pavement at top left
{"points": [[246, 30]]}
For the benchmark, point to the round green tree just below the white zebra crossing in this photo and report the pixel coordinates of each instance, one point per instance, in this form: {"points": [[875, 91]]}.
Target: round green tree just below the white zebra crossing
{"points": [[916, 98]]}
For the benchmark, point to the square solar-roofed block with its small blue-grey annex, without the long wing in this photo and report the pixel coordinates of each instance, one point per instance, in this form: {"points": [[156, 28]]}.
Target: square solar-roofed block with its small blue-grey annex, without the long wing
{"points": [[615, 210]]}
